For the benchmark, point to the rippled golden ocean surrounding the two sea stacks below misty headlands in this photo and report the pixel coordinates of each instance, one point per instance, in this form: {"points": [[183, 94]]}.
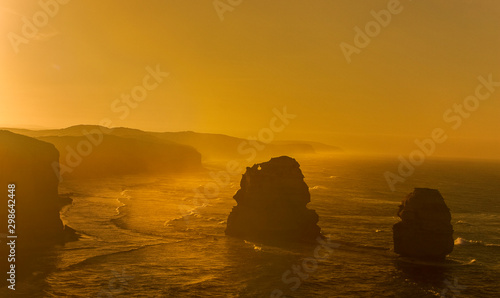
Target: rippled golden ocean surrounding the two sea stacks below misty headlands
{"points": [[159, 236]]}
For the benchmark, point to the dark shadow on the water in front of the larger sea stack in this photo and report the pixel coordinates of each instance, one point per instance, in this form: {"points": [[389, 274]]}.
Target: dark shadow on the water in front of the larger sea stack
{"points": [[280, 269]]}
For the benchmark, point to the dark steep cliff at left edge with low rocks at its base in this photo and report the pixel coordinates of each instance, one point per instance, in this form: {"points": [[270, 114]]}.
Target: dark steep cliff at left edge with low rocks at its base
{"points": [[28, 163]]}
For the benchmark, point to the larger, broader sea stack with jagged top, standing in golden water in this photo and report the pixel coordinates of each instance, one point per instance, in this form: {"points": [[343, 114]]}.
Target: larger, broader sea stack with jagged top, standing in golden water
{"points": [[271, 204]]}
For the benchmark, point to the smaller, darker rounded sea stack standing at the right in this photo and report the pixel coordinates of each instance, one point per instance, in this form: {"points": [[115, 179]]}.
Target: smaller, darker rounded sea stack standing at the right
{"points": [[425, 230]]}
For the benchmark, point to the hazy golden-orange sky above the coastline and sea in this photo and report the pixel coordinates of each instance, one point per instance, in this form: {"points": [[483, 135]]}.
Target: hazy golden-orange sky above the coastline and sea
{"points": [[226, 76]]}
